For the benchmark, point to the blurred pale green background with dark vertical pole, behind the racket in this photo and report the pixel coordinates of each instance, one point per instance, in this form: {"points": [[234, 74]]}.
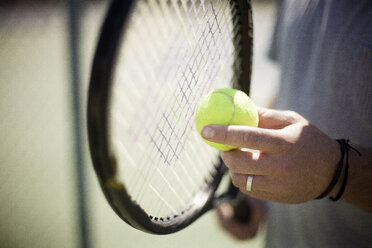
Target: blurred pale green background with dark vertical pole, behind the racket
{"points": [[46, 49]]}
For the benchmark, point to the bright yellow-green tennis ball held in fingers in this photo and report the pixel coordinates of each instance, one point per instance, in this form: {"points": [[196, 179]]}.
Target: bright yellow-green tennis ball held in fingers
{"points": [[225, 107]]}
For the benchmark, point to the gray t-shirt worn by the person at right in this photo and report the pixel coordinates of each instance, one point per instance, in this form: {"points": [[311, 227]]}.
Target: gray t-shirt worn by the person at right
{"points": [[324, 49]]}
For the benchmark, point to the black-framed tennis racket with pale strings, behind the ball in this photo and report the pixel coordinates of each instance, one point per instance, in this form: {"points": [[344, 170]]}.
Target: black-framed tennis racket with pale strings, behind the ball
{"points": [[154, 61]]}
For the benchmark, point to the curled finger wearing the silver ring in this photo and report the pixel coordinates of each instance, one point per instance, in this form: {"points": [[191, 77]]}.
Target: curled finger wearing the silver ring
{"points": [[259, 183]]}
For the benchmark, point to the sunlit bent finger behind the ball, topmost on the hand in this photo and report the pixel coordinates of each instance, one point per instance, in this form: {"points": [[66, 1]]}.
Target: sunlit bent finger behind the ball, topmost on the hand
{"points": [[276, 119]]}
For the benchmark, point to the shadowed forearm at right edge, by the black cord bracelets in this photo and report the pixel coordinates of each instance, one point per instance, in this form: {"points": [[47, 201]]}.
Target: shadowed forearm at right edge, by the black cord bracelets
{"points": [[358, 190]]}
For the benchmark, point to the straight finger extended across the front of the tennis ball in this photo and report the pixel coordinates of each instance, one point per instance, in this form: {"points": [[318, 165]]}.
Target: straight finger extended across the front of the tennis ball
{"points": [[244, 136]]}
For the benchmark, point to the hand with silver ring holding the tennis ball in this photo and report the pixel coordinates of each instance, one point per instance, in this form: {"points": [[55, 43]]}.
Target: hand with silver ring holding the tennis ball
{"points": [[291, 160]]}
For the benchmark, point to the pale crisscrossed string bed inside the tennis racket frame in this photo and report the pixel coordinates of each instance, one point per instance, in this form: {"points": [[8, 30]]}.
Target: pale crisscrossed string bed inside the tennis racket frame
{"points": [[172, 163]]}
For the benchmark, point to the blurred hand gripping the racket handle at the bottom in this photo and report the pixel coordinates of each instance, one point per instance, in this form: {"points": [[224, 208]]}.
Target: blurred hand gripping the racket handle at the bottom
{"points": [[242, 230]]}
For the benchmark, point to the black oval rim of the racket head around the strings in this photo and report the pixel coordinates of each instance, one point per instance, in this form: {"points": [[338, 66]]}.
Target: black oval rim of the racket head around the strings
{"points": [[99, 118]]}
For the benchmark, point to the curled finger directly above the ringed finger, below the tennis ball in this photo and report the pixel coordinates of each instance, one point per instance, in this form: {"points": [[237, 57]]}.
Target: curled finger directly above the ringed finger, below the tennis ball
{"points": [[248, 162]]}
